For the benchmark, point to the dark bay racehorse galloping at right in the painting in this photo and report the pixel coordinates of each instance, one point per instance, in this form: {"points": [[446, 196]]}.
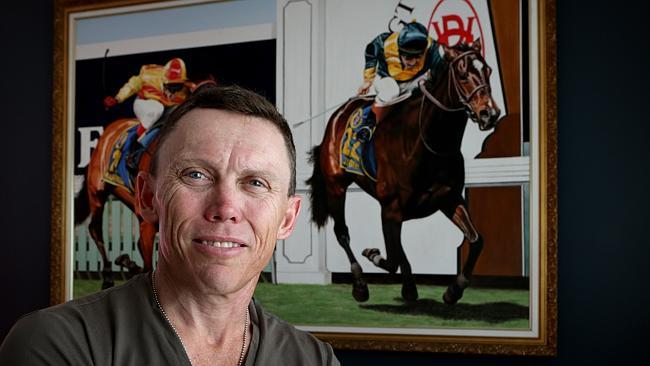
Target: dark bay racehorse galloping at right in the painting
{"points": [[420, 168]]}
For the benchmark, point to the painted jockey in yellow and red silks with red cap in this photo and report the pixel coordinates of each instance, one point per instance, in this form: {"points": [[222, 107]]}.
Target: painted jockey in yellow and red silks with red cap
{"points": [[157, 87]]}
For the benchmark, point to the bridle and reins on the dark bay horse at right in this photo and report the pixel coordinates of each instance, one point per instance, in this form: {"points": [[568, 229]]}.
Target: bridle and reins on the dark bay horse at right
{"points": [[463, 97]]}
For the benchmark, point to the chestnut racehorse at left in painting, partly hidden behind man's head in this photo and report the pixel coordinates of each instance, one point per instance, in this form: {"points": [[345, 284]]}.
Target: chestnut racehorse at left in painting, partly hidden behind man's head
{"points": [[95, 192]]}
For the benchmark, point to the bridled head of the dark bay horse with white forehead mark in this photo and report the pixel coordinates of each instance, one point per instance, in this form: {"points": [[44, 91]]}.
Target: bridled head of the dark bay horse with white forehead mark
{"points": [[470, 76]]}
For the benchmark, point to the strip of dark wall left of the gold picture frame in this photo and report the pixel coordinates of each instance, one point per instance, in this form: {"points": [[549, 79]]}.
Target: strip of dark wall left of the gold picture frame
{"points": [[26, 89]]}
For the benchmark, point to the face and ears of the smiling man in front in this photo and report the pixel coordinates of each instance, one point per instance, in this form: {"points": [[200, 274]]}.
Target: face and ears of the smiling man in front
{"points": [[220, 197]]}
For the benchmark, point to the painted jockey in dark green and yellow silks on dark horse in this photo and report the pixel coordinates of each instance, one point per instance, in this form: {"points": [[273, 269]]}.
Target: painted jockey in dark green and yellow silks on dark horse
{"points": [[398, 60]]}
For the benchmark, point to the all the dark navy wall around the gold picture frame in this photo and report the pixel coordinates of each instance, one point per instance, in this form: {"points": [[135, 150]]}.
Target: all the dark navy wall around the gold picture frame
{"points": [[603, 103]]}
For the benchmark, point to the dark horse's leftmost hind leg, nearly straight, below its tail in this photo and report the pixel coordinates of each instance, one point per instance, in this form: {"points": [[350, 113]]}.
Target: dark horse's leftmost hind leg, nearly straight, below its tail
{"points": [[336, 205]]}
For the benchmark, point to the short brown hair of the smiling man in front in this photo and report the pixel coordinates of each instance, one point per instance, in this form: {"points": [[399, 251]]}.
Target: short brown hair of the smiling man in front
{"points": [[232, 99]]}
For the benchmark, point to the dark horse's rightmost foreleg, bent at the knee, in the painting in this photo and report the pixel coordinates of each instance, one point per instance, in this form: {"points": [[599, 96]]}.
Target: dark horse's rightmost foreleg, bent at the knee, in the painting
{"points": [[460, 217]]}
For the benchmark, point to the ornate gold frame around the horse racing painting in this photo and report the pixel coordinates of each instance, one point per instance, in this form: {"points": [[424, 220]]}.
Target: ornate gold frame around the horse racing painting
{"points": [[544, 104]]}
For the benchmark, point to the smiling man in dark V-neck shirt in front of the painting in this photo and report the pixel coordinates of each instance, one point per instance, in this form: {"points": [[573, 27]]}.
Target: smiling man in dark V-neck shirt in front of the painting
{"points": [[222, 190]]}
